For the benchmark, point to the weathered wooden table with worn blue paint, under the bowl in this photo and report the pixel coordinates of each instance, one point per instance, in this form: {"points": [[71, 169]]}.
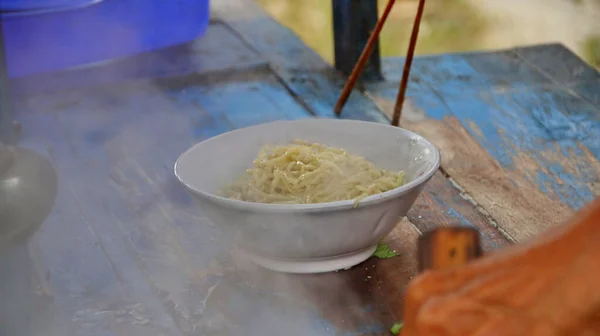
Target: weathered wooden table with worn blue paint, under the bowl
{"points": [[126, 252]]}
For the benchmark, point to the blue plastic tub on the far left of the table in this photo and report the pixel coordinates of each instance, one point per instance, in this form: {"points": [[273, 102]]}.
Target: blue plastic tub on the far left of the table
{"points": [[50, 35]]}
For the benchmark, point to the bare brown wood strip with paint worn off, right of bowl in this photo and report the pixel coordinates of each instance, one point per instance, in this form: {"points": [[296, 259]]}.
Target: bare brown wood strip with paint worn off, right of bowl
{"points": [[513, 202]]}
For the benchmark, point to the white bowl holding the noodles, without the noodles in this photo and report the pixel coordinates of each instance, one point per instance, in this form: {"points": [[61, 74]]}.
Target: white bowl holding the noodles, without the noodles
{"points": [[308, 238]]}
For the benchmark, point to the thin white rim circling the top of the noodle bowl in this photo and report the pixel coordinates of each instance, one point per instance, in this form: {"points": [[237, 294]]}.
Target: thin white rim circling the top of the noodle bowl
{"points": [[314, 207]]}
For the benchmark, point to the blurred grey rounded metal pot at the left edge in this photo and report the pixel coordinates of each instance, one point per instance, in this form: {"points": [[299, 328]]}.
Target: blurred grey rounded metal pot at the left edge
{"points": [[28, 187]]}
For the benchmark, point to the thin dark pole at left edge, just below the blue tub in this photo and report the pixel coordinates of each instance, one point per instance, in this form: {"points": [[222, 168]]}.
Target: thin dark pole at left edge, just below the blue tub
{"points": [[7, 129]]}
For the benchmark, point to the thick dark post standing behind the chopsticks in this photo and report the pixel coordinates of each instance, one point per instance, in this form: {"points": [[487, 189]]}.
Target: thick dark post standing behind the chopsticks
{"points": [[353, 21]]}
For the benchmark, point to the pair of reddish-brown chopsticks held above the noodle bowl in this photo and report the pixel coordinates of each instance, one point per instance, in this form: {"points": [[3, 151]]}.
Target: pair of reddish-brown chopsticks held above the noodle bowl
{"points": [[362, 60]]}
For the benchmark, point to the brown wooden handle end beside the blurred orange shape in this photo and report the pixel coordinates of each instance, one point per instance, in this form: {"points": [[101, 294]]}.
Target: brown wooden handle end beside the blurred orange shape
{"points": [[447, 247]]}
